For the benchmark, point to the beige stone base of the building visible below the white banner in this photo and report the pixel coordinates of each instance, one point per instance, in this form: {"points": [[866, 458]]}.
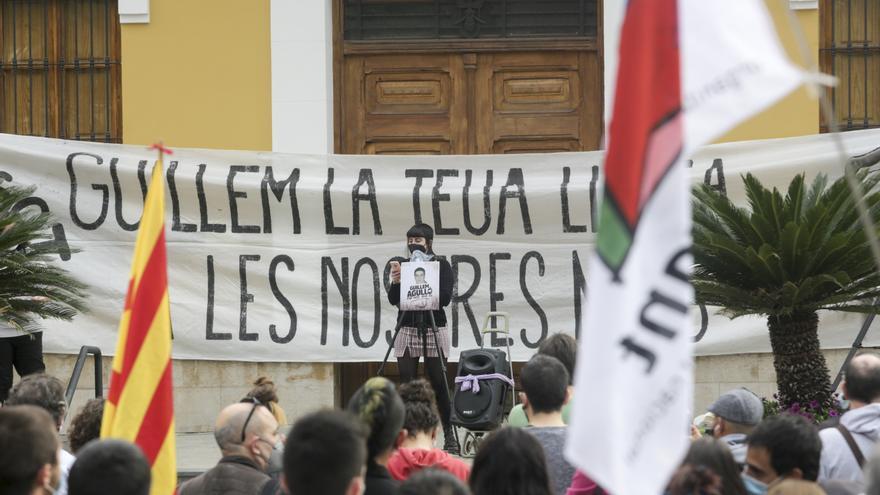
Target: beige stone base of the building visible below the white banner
{"points": [[201, 388]]}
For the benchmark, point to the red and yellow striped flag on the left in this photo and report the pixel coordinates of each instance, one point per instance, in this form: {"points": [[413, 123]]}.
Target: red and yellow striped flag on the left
{"points": [[140, 406]]}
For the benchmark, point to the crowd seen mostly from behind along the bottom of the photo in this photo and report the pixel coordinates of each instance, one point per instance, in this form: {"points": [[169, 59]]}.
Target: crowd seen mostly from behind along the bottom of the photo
{"points": [[386, 442]]}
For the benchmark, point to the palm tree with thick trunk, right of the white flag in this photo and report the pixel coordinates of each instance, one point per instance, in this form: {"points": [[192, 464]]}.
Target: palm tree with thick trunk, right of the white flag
{"points": [[787, 257]]}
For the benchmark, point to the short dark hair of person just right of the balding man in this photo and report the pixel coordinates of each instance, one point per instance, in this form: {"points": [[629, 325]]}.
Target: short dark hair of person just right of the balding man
{"points": [[324, 451]]}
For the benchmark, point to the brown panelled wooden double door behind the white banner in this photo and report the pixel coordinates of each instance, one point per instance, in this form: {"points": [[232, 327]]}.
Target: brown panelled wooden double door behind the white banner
{"points": [[465, 102]]}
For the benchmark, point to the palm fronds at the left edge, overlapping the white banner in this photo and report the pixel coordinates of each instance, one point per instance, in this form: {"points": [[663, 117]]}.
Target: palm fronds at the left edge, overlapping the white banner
{"points": [[31, 285]]}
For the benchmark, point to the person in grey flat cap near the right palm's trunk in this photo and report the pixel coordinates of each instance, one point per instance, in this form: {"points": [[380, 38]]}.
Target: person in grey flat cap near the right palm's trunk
{"points": [[737, 412]]}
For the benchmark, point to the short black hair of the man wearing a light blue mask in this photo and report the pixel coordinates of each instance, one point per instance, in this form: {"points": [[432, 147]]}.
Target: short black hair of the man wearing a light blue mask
{"points": [[792, 441]]}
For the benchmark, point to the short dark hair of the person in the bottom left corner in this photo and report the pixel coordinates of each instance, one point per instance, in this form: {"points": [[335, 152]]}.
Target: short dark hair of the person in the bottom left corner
{"points": [[29, 441]]}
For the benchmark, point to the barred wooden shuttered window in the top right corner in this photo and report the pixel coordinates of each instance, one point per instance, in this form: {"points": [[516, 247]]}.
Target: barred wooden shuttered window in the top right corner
{"points": [[850, 50]]}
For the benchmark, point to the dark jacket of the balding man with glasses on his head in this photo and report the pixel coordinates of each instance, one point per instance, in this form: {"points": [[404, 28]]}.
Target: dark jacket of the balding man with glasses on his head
{"points": [[233, 475]]}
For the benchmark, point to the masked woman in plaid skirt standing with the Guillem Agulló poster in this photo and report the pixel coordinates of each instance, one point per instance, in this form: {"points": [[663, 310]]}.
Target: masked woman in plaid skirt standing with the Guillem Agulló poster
{"points": [[416, 325]]}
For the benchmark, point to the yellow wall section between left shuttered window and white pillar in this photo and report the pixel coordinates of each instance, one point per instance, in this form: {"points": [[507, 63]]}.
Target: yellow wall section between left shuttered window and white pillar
{"points": [[198, 75]]}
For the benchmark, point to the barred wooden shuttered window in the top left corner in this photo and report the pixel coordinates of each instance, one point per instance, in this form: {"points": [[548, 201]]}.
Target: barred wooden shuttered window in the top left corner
{"points": [[60, 69]]}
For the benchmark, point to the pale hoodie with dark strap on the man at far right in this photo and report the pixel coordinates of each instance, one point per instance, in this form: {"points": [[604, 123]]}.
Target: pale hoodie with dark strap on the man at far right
{"points": [[838, 461]]}
